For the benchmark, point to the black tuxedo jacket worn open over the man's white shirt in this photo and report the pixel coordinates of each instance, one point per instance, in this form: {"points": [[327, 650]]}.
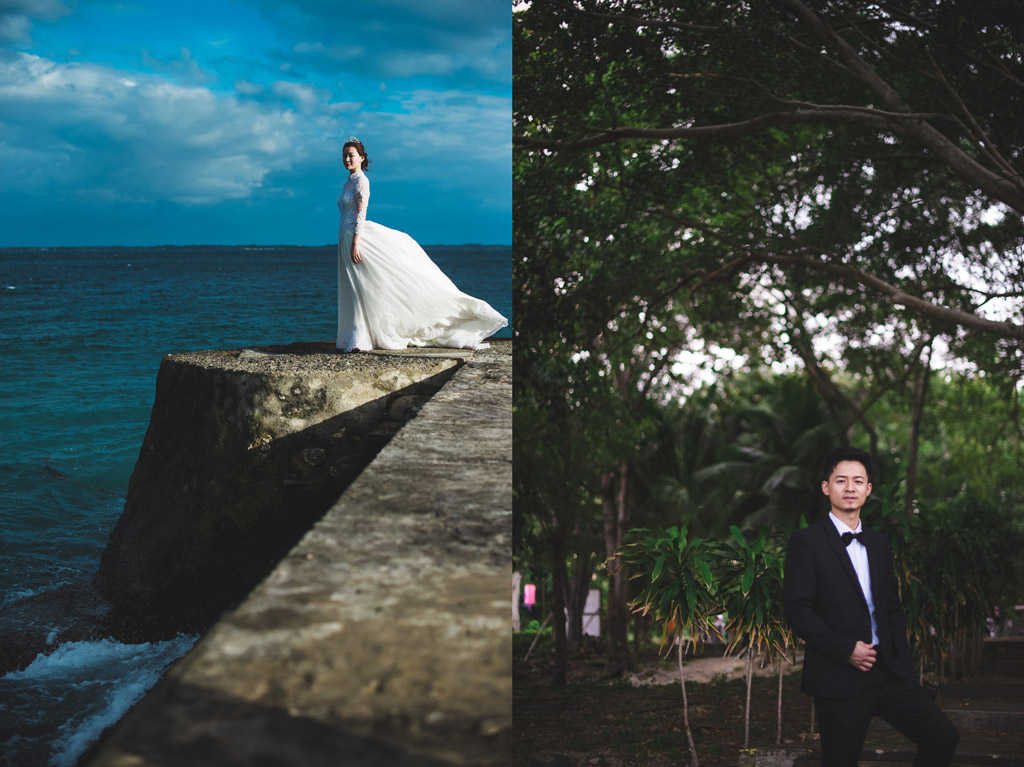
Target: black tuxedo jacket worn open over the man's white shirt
{"points": [[825, 606]]}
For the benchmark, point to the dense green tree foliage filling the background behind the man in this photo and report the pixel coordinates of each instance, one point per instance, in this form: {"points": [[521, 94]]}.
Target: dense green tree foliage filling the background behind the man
{"points": [[746, 233]]}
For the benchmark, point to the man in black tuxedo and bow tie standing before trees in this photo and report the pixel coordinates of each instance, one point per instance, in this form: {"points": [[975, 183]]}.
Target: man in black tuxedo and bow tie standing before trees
{"points": [[840, 596]]}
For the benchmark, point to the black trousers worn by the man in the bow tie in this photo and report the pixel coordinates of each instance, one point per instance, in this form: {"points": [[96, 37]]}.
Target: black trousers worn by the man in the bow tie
{"points": [[901, 702]]}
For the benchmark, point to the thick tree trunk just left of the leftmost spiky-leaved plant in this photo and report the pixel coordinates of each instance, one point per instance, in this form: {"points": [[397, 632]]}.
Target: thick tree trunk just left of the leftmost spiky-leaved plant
{"points": [[614, 495]]}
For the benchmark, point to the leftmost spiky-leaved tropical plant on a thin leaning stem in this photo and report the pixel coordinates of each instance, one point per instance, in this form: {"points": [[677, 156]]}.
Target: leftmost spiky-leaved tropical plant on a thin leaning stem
{"points": [[678, 590]]}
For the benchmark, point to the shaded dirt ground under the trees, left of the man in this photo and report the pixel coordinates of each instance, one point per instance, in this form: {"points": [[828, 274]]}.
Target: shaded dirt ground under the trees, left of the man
{"points": [[595, 721]]}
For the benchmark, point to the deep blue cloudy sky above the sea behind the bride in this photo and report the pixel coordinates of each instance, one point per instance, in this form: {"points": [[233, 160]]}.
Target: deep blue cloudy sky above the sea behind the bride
{"points": [[184, 122]]}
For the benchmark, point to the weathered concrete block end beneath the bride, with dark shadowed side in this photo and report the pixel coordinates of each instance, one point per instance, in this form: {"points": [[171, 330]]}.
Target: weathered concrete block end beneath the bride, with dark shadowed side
{"points": [[245, 451]]}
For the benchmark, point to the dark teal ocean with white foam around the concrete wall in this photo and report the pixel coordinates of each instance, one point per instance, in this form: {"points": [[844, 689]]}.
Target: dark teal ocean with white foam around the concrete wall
{"points": [[82, 334]]}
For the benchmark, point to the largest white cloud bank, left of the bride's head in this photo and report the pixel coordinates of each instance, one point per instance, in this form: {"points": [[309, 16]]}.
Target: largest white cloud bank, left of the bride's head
{"points": [[110, 135]]}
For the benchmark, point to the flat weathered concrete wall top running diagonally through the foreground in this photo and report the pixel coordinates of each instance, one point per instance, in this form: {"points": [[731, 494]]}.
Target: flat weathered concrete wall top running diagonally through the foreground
{"points": [[382, 638]]}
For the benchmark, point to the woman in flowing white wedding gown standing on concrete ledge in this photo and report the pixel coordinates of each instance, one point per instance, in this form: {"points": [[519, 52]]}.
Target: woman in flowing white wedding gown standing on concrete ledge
{"points": [[391, 294]]}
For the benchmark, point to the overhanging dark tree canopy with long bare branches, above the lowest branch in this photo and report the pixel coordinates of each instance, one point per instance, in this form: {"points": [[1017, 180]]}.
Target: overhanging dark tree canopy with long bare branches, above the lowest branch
{"points": [[859, 94]]}
